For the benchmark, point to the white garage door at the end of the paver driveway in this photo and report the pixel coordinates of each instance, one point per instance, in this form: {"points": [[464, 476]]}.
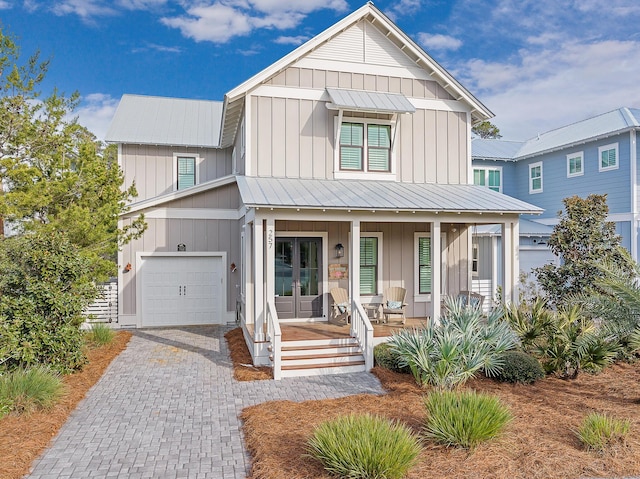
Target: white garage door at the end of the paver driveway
{"points": [[182, 291]]}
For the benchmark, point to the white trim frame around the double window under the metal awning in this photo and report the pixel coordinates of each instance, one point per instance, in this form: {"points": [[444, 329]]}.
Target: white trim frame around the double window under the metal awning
{"points": [[364, 175]]}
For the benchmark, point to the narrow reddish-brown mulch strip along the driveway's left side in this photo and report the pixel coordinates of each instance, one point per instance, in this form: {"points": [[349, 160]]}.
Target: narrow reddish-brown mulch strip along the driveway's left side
{"points": [[24, 437]]}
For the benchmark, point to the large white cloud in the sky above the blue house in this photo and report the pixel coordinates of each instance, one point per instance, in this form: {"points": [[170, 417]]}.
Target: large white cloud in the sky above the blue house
{"points": [[542, 89]]}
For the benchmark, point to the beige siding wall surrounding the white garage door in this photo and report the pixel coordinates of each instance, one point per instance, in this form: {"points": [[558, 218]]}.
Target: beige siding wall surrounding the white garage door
{"points": [[201, 235]]}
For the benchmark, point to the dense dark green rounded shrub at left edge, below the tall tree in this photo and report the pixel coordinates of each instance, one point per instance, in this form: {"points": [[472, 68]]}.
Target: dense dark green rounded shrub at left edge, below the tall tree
{"points": [[44, 288]]}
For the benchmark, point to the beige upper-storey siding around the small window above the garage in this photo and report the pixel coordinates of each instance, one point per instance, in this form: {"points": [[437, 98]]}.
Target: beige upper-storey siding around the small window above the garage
{"points": [[151, 167]]}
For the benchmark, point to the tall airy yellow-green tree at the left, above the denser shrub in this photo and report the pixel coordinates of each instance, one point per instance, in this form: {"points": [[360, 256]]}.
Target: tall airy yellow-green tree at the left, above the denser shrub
{"points": [[56, 176]]}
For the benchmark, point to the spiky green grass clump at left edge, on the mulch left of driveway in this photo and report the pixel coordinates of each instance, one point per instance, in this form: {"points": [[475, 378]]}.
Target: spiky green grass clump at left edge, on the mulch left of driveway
{"points": [[24, 390]]}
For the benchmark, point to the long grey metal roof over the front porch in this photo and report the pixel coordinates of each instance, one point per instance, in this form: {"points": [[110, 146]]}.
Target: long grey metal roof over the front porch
{"points": [[376, 195]]}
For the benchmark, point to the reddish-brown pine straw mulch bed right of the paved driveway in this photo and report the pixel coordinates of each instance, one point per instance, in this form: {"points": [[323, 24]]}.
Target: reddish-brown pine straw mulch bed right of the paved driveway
{"points": [[539, 443]]}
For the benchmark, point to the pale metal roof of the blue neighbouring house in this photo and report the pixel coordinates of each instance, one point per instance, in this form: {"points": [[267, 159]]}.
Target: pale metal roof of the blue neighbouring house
{"points": [[599, 126]]}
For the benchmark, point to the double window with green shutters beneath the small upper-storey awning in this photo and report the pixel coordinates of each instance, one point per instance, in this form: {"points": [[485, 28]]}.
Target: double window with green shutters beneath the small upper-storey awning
{"points": [[365, 146]]}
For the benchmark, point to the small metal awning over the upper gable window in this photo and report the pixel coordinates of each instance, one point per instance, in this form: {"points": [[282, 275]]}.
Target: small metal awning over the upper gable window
{"points": [[358, 100]]}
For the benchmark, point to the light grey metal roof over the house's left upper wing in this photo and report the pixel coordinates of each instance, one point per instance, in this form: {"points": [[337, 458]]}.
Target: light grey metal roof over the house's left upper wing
{"points": [[166, 121]]}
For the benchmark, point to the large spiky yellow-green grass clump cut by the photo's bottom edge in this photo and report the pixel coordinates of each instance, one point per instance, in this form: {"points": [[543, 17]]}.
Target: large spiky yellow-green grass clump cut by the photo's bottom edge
{"points": [[364, 446]]}
